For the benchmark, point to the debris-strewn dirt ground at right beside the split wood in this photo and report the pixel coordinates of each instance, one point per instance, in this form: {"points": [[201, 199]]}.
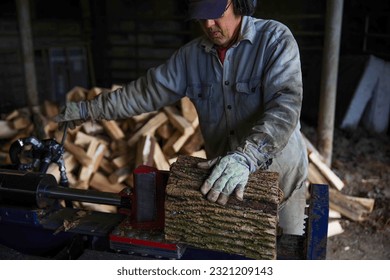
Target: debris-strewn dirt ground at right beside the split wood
{"points": [[362, 160]]}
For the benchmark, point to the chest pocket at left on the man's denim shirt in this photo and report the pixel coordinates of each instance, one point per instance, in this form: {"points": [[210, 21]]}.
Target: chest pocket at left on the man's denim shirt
{"points": [[204, 101]]}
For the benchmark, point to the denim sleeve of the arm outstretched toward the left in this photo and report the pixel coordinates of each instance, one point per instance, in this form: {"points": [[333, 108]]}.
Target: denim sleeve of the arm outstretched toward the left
{"points": [[161, 86]]}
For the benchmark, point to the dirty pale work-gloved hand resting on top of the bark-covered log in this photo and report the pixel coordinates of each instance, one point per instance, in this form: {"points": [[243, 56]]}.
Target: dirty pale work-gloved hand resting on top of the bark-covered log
{"points": [[230, 174]]}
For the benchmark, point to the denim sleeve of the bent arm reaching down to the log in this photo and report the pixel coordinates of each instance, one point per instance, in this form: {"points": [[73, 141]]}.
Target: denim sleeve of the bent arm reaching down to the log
{"points": [[282, 90]]}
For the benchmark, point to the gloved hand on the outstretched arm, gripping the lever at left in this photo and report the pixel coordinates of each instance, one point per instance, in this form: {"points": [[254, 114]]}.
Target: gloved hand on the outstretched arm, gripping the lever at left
{"points": [[74, 113]]}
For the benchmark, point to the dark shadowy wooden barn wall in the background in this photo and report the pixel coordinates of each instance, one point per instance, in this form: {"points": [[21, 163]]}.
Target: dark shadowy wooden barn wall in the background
{"points": [[104, 42]]}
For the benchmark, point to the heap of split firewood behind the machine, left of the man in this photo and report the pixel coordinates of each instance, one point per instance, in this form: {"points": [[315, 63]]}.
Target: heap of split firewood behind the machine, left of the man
{"points": [[102, 155]]}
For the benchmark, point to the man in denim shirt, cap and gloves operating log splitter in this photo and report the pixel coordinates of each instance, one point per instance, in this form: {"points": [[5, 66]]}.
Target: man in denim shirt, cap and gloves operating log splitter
{"points": [[244, 78]]}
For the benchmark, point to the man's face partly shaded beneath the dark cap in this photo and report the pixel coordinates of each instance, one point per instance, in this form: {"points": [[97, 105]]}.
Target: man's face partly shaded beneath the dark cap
{"points": [[222, 31]]}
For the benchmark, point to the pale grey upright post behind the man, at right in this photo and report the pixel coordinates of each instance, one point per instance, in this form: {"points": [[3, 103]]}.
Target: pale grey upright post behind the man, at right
{"points": [[330, 65]]}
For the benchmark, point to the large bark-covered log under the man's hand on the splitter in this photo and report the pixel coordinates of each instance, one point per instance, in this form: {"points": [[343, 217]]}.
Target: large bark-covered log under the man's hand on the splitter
{"points": [[246, 227]]}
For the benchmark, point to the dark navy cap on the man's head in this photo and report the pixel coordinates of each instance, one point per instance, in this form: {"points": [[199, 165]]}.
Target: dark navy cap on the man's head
{"points": [[206, 9]]}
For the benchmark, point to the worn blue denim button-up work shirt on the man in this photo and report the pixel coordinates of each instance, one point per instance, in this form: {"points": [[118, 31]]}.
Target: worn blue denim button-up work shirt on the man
{"points": [[251, 103]]}
